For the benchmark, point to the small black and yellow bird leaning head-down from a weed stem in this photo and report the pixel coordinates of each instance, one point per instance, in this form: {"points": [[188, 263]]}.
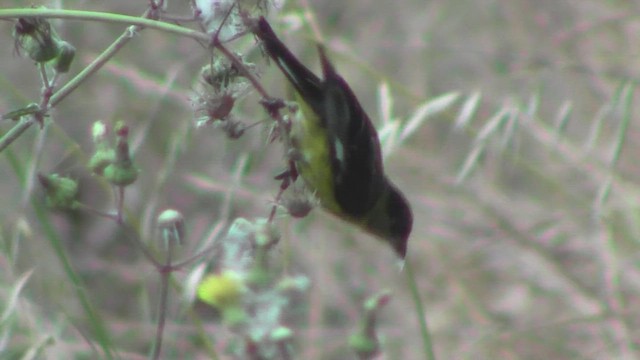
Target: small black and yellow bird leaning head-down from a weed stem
{"points": [[339, 155]]}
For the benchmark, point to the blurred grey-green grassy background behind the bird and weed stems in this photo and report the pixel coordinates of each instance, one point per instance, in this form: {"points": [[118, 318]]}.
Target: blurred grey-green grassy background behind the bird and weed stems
{"points": [[525, 241]]}
